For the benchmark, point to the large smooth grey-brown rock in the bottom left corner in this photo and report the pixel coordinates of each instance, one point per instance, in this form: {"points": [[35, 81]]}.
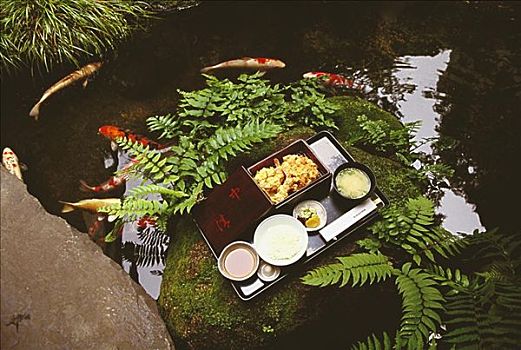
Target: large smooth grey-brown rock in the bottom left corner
{"points": [[60, 291]]}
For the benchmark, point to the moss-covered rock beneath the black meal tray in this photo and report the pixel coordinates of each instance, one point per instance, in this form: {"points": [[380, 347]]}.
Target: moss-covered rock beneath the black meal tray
{"points": [[199, 305]]}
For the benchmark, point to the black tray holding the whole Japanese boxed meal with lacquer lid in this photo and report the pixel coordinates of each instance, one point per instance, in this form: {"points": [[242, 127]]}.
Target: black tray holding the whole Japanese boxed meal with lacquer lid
{"points": [[292, 194]]}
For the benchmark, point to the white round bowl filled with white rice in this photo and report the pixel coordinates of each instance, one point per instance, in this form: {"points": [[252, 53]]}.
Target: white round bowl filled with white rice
{"points": [[280, 240]]}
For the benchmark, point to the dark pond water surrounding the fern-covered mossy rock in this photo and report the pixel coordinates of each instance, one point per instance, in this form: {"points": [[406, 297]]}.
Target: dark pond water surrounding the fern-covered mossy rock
{"points": [[455, 66]]}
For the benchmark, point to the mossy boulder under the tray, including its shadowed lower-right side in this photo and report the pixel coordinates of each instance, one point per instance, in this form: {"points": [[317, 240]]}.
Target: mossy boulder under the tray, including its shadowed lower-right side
{"points": [[203, 312]]}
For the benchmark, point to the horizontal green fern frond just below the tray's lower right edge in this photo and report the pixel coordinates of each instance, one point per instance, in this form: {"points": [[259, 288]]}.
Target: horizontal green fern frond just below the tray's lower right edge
{"points": [[353, 269]]}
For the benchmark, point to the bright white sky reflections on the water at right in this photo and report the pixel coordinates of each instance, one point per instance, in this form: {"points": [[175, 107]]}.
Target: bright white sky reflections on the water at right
{"points": [[424, 72]]}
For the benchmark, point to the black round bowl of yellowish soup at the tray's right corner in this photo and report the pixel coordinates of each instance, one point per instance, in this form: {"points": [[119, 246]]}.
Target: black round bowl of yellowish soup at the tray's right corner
{"points": [[354, 181]]}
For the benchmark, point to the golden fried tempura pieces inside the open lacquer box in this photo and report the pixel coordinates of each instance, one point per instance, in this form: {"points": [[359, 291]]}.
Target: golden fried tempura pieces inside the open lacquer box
{"points": [[294, 173]]}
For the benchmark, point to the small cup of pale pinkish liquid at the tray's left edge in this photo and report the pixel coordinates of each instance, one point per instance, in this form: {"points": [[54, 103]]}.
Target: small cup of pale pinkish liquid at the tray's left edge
{"points": [[238, 261]]}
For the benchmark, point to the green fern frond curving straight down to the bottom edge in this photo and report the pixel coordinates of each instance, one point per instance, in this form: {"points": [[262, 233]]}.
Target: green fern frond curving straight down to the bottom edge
{"points": [[421, 300]]}
